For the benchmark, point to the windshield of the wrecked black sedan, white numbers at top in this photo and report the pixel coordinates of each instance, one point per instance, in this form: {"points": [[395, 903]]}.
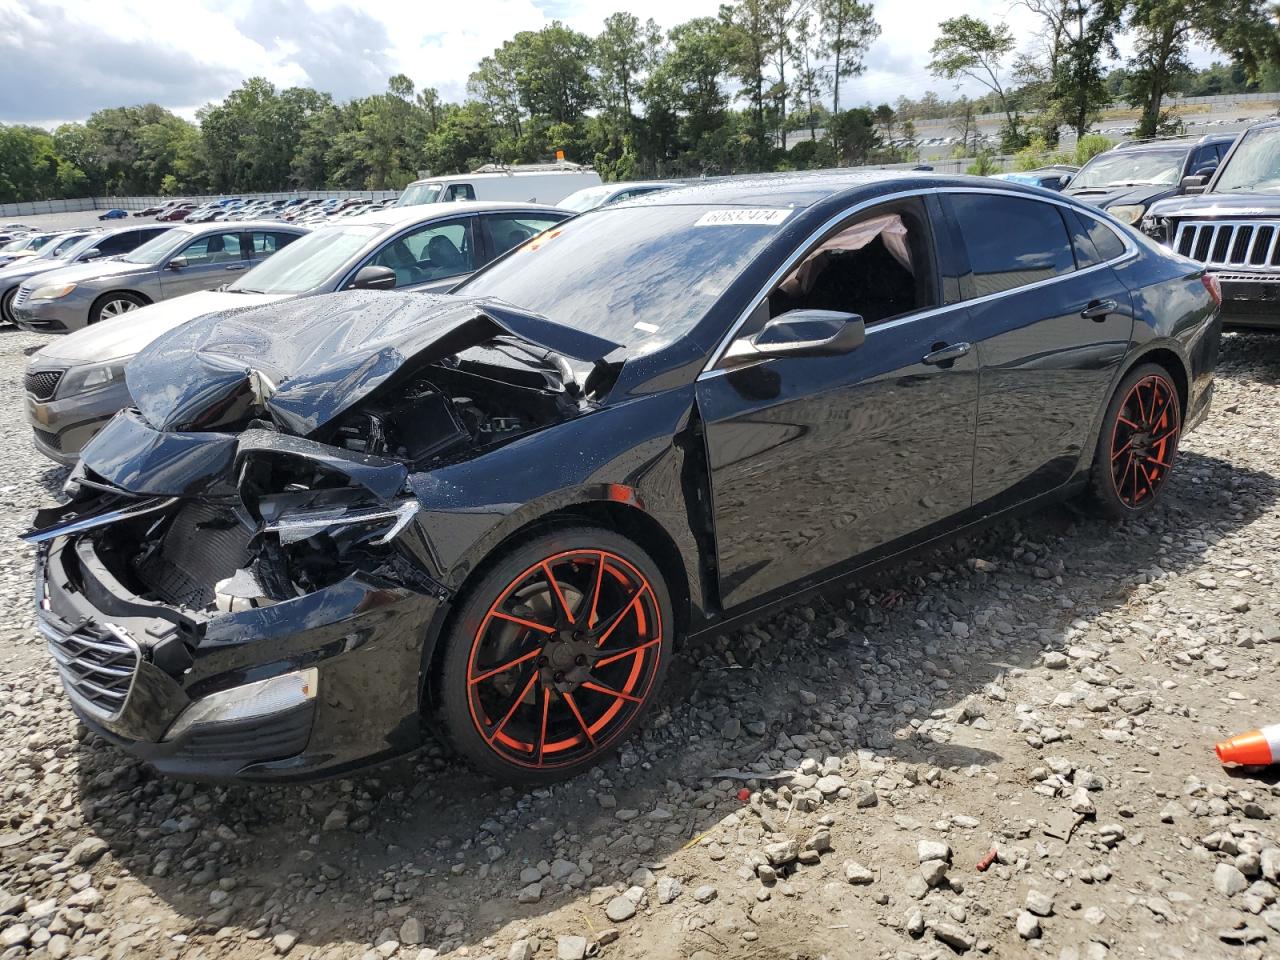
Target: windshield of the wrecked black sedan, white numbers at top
{"points": [[639, 276]]}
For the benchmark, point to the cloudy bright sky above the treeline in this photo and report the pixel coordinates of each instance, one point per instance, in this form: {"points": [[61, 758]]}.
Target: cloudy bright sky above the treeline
{"points": [[63, 60]]}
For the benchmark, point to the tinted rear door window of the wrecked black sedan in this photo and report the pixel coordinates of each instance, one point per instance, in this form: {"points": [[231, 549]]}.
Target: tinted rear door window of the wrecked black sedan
{"points": [[1012, 241]]}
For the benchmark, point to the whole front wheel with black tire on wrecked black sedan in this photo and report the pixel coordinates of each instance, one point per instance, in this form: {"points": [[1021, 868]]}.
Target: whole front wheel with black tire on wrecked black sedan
{"points": [[557, 719]]}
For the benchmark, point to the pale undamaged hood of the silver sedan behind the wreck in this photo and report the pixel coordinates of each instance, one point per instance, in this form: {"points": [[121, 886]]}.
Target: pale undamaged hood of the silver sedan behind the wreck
{"points": [[125, 336]]}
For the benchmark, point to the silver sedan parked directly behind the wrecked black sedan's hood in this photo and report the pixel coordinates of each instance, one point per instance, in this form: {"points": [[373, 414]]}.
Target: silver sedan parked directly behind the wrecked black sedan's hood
{"points": [[76, 385]]}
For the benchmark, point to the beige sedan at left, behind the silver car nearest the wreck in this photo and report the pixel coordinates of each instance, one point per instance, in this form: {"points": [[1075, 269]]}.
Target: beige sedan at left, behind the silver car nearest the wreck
{"points": [[181, 260]]}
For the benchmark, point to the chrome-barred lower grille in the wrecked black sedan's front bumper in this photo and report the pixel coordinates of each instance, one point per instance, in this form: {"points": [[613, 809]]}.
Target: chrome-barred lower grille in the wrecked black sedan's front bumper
{"points": [[98, 664]]}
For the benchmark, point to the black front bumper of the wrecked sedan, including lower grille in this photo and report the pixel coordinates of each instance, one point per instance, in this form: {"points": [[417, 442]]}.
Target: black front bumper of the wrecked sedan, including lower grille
{"points": [[132, 668]]}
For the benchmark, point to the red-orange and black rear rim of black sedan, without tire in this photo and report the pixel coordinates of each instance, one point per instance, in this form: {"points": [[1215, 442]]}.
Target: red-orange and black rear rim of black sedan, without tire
{"points": [[1145, 441]]}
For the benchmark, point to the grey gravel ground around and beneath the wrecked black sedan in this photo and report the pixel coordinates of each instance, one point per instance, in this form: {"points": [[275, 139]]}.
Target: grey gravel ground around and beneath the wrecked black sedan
{"points": [[1049, 691]]}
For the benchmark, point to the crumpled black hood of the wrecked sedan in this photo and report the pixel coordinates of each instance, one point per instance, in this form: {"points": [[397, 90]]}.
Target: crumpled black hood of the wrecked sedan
{"points": [[309, 360]]}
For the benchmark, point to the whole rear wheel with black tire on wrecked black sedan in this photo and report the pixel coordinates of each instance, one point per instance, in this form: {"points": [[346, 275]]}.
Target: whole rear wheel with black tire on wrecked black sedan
{"points": [[1137, 445]]}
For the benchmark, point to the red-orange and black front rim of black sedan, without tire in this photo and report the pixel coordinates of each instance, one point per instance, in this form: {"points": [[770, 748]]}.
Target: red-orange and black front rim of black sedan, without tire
{"points": [[564, 659]]}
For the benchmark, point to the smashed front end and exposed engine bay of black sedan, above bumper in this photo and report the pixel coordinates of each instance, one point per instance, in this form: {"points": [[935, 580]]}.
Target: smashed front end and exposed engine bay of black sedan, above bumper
{"points": [[257, 511]]}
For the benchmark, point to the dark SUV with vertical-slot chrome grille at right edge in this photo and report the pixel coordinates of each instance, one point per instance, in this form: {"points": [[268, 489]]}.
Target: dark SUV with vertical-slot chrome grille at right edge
{"points": [[1232, 225]]}
